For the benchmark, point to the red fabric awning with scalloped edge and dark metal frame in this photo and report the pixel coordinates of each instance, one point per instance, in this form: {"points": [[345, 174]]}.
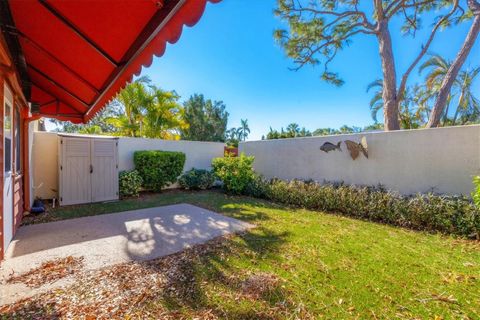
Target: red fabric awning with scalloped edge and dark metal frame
{"points": [[80, 53]]}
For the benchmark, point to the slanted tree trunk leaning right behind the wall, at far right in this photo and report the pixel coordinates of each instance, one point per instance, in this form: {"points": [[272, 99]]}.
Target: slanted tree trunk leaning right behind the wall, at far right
{"points": [[452, 73]]}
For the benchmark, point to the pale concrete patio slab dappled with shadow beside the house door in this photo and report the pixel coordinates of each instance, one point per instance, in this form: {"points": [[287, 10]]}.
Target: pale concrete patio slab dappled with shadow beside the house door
{"points": [[110, 239]]}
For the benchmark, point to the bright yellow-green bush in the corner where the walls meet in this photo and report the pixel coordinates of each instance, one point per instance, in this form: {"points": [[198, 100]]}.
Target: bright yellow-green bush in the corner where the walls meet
{"points": [[236, 173]]}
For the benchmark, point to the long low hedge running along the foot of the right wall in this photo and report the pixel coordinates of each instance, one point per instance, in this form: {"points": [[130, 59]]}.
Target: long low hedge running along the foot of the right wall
{"points": [[430, 212]]}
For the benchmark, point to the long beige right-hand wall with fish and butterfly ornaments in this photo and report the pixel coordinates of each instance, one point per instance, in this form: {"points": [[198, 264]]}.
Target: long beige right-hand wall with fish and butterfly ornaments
{"points": [[442, 160]]}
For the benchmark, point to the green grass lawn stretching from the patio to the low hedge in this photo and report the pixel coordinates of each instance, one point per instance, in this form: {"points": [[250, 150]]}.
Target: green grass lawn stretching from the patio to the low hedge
{"points": [[325, 266]]}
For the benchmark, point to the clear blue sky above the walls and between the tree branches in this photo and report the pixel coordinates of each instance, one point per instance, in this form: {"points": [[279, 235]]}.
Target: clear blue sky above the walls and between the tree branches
{"points": [[230, 55]]}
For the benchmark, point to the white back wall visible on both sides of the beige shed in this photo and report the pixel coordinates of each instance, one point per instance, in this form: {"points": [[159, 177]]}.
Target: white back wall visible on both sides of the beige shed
{"points": [[45, 157]]}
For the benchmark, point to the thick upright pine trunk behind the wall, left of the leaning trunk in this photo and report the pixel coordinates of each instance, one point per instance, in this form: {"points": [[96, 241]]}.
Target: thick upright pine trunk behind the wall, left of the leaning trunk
{"points": [[389, 95]]}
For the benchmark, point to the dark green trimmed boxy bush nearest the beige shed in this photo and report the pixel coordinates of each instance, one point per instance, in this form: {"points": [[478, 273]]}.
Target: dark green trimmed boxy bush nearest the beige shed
{"points": [[158, 169]]}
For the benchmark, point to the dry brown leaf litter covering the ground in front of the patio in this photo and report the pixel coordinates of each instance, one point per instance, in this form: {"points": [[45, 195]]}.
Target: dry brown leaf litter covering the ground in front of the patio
{"points": [[118, 292]]}
